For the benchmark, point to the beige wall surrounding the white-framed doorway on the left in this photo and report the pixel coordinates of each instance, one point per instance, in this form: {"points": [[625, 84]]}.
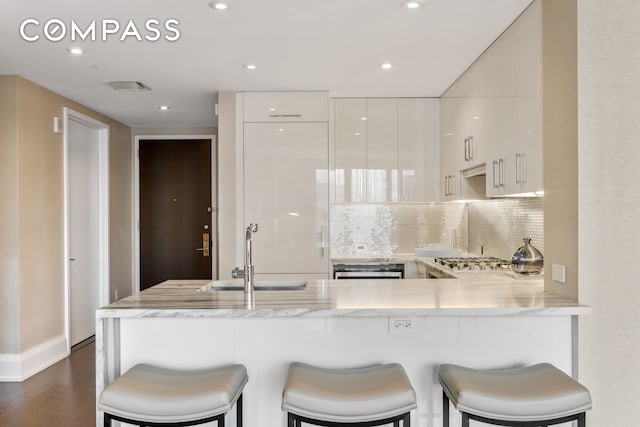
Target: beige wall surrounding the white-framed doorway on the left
{"points": [[38, 213]]}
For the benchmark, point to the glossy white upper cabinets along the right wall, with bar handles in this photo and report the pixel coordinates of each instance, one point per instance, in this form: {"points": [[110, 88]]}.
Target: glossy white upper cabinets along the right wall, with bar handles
{"points": [[492, 114]]}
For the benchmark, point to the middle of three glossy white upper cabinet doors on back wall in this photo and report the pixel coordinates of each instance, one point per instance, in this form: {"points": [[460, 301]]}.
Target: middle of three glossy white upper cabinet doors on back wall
{"points": [[382, 150]]}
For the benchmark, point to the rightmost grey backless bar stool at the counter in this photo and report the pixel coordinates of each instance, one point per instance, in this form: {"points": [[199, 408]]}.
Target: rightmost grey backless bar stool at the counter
{"points": [[532, 396]]}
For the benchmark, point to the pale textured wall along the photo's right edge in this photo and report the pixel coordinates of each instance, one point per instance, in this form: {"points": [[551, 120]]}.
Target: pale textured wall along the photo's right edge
{"points": [[609, 206]]}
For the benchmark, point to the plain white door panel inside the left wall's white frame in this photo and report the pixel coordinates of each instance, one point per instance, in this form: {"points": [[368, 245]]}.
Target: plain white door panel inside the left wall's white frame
{"points": [[83, 229]]}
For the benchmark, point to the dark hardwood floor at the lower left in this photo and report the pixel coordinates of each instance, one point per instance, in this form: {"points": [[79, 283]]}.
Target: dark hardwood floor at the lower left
{"points": [[62, 395]]}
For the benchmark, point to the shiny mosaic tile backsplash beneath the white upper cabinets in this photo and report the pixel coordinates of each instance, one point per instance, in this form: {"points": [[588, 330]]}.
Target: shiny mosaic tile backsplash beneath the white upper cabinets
{"points": [[497, 226]]}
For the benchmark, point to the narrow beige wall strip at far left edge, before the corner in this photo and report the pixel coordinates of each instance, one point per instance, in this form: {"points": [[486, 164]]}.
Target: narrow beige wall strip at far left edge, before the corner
{"points": [[9, 301]]}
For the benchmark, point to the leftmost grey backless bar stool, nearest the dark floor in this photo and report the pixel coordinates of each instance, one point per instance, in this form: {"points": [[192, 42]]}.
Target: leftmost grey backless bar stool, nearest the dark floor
{"points": [[148, 395]]}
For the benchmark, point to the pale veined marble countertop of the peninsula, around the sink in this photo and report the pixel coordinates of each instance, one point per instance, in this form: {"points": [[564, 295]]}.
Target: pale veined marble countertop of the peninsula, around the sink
{"points": [[486, 295]]}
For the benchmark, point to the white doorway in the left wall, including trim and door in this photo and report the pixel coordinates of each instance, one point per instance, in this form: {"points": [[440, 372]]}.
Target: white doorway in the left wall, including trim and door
{"points": [[86, 184]]}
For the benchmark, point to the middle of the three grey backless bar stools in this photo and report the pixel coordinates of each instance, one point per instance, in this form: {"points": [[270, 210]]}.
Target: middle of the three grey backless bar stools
{"points": [[371, 396]]}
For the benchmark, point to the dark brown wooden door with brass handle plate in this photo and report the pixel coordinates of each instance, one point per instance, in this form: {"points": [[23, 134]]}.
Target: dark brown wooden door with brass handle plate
{"points": [[175, 210]]}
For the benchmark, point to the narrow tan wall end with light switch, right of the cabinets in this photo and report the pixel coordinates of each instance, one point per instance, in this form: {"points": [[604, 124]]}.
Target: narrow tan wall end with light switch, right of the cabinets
{"points": [[560, 135]]}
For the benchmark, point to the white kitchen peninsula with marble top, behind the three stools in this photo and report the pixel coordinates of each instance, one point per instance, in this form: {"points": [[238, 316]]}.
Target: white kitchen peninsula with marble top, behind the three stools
{"points": [[490, 321]]}
